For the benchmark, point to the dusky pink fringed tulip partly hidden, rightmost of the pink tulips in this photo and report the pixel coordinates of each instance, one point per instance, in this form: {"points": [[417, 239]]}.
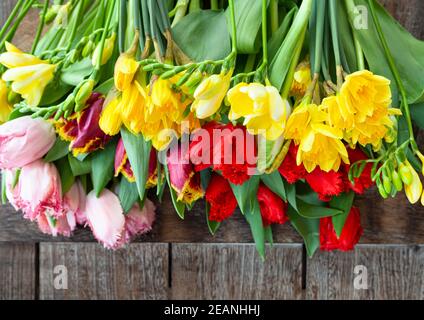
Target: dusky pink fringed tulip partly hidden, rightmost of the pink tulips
{"points": [[138, 221]]}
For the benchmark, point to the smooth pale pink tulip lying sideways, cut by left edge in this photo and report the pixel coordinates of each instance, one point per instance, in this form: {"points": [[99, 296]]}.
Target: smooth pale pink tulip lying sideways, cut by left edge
{"points": [[24, 140]]}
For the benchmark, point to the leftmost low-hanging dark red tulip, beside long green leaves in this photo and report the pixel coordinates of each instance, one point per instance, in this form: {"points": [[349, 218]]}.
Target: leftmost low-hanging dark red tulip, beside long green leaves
{"points": [[222, 201]]}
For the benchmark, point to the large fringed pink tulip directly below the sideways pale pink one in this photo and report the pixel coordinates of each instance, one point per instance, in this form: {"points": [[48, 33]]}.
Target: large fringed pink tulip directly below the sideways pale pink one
{"points": [[38, 191]]}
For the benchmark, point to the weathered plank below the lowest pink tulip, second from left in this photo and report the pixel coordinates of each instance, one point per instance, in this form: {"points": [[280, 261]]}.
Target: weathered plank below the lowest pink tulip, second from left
{"points": [[137, 272]]}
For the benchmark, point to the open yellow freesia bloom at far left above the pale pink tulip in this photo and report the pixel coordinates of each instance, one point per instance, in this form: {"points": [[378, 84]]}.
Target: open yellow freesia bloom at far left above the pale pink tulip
{"points": [[29, 75]]}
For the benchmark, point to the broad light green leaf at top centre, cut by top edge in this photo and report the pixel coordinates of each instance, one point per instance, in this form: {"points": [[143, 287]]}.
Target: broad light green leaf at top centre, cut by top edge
{"points": [[248, 16]]}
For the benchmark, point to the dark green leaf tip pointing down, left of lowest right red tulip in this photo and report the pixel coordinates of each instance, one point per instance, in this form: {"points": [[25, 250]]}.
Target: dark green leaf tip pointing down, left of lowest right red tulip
{"points": [[307, 228]]}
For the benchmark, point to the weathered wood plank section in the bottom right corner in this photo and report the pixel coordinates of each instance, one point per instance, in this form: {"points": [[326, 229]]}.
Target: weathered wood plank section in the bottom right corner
{"points": [[393, 272]]}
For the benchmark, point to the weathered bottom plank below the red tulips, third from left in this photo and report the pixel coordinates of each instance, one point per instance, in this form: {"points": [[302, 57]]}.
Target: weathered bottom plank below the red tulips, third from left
{"points": [[218, 271]]}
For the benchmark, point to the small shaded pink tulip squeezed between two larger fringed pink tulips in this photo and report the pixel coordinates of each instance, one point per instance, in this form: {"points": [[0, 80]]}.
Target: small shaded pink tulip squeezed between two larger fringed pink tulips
{"points": [[74, 205]]}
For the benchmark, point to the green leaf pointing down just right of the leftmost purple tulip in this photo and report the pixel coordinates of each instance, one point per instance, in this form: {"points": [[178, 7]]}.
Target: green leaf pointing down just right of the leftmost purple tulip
{"points": [[102, 167]]}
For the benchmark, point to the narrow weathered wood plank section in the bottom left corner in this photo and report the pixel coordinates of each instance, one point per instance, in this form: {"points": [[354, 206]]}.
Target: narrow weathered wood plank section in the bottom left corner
{"points": [[17, 271]]}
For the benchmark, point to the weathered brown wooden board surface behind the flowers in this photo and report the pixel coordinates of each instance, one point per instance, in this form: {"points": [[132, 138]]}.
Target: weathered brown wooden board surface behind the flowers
{"points": [[180, 260]]}
